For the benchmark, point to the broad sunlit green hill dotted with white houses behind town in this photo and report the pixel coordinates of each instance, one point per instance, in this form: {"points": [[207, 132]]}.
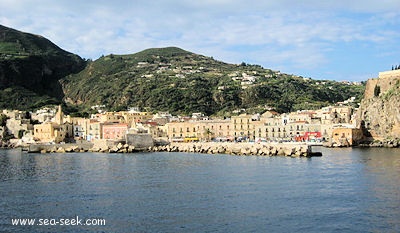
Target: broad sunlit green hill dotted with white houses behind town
{"points": [[175, 80]]}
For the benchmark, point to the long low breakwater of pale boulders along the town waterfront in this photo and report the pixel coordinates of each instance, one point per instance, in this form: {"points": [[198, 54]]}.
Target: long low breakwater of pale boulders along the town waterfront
{"points": [[268, 149]]}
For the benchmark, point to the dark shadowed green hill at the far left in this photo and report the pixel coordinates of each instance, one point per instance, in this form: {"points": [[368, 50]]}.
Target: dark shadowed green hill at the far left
{"points": [[30, 69]]}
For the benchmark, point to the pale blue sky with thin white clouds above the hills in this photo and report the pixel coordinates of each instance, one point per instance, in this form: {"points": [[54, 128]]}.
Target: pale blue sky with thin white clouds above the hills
{"points": [[322, 39]]}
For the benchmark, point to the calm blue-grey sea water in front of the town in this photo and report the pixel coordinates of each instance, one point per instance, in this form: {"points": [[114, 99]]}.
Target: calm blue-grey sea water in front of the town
{"points": [[346, 190]]}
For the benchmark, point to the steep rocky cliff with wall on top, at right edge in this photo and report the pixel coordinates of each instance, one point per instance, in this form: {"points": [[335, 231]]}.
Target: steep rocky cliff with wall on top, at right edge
{"points": [[380, 109]]}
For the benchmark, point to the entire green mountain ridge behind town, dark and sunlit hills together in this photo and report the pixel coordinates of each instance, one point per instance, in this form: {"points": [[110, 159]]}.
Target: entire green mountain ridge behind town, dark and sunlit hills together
{"points": [[35, 72]]}
